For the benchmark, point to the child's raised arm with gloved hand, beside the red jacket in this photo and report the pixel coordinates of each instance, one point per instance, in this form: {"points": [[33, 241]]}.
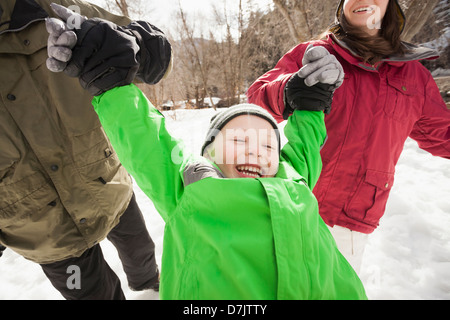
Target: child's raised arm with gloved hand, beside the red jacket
{"points": [[308, 96]]}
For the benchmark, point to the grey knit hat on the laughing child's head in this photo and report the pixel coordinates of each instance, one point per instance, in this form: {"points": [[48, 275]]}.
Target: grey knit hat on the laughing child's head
{"points": [[219, 120]]}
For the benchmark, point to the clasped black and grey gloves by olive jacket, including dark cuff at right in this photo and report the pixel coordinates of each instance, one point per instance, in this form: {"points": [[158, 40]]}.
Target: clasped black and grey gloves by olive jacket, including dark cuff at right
{"points": [[106, 55]]}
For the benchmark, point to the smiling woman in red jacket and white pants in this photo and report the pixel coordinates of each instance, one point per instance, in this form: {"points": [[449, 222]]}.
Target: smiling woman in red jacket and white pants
{"points": [[387, 96]]}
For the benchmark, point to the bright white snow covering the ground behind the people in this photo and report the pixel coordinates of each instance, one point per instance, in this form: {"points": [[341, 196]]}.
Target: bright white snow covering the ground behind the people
{"points": [[407, 257]]}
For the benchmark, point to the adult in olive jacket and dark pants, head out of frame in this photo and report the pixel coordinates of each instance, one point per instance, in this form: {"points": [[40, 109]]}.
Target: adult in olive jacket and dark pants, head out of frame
{"points": [[62, 187]]}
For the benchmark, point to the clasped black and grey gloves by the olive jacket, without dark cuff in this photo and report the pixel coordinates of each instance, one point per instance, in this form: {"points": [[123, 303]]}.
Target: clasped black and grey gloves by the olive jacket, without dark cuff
{"points": [[102, 54]]}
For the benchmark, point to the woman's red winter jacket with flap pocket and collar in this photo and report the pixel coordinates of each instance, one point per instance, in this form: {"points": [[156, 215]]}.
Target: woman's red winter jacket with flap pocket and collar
{"points": [[375, 110]]}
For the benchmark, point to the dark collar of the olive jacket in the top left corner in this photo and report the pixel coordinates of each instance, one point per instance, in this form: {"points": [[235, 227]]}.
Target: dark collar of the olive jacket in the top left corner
{"points": [[24, 13]]}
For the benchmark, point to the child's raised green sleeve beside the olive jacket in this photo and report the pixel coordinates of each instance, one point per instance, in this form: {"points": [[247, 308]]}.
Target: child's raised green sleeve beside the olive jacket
{"points": [[138, 134]]}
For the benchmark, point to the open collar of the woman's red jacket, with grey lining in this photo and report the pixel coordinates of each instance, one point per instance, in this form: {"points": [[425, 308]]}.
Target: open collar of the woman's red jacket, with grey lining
{"points": [[414, 53]]}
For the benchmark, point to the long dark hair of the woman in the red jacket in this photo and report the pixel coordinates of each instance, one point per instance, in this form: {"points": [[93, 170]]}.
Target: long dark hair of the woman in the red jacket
{"points": [[372, 48]]}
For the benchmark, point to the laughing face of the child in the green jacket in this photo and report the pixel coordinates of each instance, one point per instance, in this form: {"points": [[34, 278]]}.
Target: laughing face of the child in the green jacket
{"points": [[246, 147]]}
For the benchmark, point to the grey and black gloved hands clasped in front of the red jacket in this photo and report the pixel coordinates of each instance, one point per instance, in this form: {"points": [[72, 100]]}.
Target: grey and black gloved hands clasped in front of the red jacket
{"points": [[312, 87]]}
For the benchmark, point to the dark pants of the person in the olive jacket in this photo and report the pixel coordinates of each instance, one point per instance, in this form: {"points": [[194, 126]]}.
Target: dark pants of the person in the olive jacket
{"points": [[97, 280]]}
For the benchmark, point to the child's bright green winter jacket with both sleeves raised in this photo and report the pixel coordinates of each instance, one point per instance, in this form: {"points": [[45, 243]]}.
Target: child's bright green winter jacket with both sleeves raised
{"points": [[231, 238]]}
